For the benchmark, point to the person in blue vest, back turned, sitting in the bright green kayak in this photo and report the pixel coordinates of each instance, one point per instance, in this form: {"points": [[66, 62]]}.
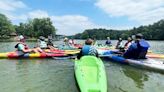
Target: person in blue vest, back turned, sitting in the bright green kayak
{"points": [[88, 49]]}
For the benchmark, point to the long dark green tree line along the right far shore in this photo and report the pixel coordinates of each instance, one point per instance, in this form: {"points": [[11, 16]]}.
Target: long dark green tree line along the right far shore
{"points": [[150, 32]]}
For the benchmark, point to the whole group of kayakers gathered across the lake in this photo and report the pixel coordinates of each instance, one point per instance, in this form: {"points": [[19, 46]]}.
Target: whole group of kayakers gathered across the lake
{"points": [[135, 47]]}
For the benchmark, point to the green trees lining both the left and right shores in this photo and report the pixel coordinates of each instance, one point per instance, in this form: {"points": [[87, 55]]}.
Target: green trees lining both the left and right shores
{"points": [[44, 27]]}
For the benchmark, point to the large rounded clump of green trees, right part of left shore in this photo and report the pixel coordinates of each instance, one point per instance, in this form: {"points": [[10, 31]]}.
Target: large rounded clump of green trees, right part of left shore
{"points": [[36, 27]]}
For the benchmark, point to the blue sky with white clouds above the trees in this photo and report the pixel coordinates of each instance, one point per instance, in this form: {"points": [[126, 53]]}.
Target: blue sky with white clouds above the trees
{"points": [[74, 16]]}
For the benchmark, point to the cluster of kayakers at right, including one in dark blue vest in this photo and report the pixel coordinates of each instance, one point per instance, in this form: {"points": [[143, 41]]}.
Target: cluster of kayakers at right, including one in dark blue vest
{"points": [[135, 47]]}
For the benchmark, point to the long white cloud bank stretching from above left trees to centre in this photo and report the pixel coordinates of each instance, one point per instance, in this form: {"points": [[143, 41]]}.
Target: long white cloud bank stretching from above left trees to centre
{"points": [[66, 24]]}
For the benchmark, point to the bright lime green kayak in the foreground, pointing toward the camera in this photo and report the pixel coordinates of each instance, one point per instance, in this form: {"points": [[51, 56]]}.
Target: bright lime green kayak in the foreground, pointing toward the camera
{"points": [[90, 74]]}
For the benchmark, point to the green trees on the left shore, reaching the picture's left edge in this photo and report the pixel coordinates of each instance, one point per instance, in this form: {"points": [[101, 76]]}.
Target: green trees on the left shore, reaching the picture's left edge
{"points": [[32, 28]]}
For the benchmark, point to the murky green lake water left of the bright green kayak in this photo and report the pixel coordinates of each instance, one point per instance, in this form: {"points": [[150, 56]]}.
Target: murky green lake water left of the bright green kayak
{"points": [[37, 76]]}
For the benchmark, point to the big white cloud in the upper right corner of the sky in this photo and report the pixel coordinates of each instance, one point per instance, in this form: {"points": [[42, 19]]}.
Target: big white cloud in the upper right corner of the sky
{"points": [[142, 11]]}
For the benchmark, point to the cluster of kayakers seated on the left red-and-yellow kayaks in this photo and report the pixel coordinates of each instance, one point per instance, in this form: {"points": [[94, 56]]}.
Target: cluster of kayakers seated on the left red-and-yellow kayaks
{"points": [[23, 48]]}
